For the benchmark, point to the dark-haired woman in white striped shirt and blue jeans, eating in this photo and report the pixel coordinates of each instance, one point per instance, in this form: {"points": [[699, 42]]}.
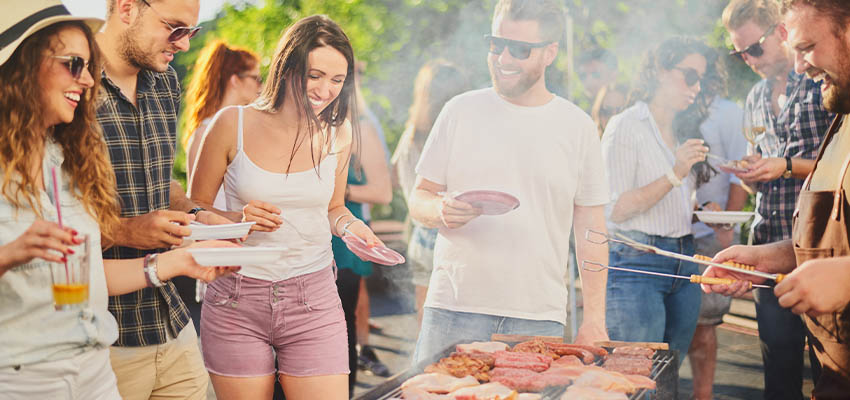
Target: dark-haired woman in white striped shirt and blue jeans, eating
{"points": [[654, 155]]}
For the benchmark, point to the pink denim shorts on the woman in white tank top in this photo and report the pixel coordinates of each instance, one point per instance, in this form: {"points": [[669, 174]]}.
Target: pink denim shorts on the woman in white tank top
{"points": [[246, 322]]}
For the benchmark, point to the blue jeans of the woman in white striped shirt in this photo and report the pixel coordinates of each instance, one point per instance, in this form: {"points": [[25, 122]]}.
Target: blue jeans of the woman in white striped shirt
{"points": [[644, 308]]}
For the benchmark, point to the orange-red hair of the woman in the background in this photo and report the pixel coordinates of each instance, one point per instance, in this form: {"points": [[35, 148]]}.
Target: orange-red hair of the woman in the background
{"points": [[214, 67]]}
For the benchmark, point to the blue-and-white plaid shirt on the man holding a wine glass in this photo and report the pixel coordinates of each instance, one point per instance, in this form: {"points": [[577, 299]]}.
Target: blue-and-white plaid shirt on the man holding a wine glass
{"points": [[799, 128]]}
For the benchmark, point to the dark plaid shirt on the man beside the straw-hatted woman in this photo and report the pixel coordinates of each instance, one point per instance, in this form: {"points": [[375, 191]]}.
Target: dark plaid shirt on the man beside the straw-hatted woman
{"points": [[142, 141]]}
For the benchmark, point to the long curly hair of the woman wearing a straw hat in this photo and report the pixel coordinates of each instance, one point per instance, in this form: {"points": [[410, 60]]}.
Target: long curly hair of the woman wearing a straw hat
{"points": [[92, 179]]}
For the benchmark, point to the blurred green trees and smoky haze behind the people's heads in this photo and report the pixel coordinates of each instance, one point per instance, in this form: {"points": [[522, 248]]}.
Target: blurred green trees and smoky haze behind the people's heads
{"points": [[396, 37]]}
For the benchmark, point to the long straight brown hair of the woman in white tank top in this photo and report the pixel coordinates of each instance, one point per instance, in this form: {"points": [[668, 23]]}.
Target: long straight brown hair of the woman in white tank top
{"points": [[288, 71]]}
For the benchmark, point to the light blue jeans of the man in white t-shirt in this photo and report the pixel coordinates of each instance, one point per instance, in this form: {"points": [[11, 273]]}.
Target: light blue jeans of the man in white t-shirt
{"points": [[443, 328]]}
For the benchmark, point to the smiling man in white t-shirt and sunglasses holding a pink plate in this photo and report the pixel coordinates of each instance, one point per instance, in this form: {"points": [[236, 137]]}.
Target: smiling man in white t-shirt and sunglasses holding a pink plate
{"points": [[505, 273]]}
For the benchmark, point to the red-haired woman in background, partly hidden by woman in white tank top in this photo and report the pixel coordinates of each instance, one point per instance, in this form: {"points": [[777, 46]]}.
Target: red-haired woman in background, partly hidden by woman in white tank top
{"points": [[223, 76]]}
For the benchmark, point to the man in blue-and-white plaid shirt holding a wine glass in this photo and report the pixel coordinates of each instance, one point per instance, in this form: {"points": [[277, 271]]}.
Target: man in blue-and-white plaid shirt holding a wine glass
{"points": [[788, 106]]}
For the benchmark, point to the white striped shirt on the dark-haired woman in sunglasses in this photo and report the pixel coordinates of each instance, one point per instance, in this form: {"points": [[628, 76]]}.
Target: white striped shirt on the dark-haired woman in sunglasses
{"points": [[635, 156]]}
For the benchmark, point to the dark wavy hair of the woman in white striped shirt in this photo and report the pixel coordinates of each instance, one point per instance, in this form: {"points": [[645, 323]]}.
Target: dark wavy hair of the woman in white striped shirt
{"points": [[686, 123]]}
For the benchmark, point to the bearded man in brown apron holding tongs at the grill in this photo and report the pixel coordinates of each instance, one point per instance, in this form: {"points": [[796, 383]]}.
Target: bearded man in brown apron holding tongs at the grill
{"points": [[817, 258]]}
